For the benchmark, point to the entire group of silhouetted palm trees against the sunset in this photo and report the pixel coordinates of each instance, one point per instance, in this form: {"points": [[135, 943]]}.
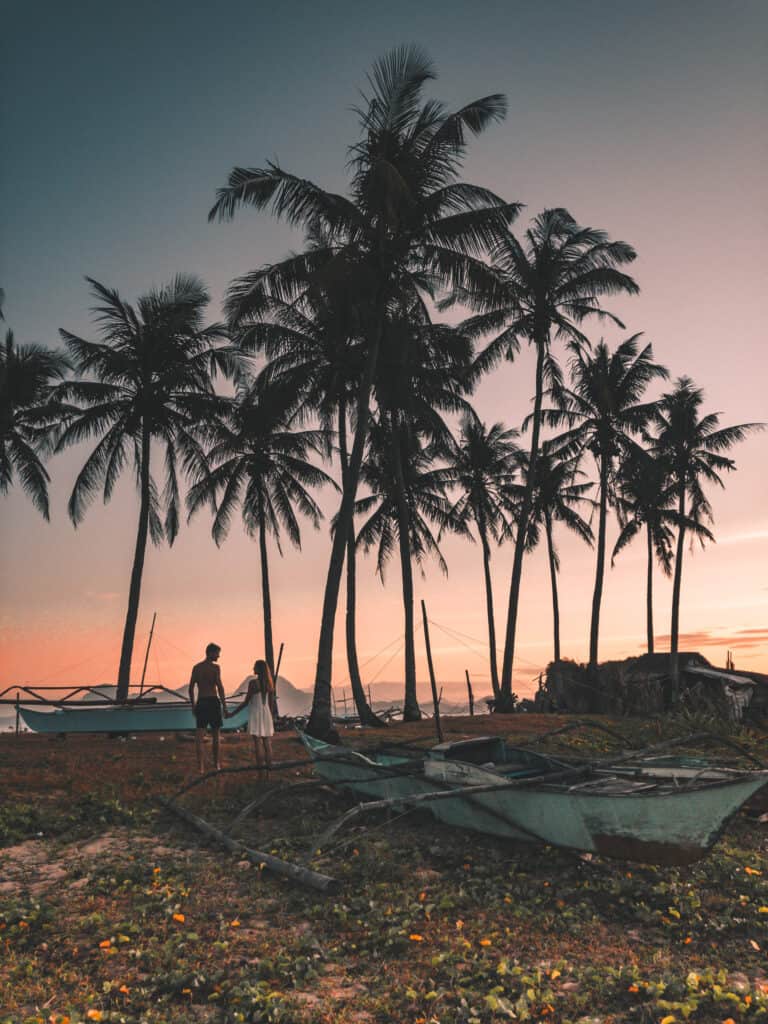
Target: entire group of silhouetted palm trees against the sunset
{"points": [[335, 353]]}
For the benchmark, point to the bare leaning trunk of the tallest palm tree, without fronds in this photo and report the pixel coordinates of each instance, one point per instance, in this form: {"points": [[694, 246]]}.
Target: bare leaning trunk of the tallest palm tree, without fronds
{"points": [[320, 723]]}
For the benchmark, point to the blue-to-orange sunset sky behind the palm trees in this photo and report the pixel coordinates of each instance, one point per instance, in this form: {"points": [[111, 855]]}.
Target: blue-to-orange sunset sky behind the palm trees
{"points": [[120, 122]]}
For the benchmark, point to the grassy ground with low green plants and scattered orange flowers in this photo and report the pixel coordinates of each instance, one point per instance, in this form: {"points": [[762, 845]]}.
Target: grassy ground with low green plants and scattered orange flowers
{"points": [[112, 910]]}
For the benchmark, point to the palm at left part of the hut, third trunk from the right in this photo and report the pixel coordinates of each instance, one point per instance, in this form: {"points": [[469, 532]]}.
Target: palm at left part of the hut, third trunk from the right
{"points": [[604, 410]]}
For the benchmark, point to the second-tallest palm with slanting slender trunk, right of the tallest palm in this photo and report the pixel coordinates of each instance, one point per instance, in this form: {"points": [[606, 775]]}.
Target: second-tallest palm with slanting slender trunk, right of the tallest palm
{"points": [[553, 281]]}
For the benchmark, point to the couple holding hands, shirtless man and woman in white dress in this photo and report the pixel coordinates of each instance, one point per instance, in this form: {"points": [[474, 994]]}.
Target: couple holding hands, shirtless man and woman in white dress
{"points": [[209, 705]]}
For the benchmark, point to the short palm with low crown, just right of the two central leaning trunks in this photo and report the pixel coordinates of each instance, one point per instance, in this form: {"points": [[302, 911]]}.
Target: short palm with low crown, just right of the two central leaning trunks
{"points": [[391, 474]]}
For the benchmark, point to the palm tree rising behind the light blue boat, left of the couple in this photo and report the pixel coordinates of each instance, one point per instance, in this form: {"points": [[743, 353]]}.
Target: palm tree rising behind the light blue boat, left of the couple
{"points": [[151, 380]]}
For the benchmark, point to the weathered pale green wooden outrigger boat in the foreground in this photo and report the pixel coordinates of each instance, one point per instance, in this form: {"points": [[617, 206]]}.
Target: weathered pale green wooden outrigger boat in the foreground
{"points": [[631, 809]]}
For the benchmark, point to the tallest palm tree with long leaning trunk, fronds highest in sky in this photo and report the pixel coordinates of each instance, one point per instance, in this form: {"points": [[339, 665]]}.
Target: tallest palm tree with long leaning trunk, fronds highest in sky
{"points": [[409, 229]]}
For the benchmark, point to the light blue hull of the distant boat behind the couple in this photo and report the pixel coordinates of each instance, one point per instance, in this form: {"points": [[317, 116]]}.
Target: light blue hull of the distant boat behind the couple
{"points": [[131, 718]]}
